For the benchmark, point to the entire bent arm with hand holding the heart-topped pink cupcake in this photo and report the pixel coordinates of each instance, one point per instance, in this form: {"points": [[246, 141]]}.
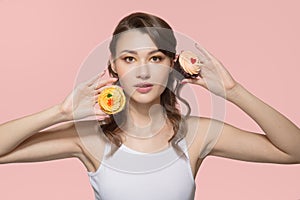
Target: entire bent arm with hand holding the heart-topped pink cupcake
{"points": [[281, 142]]}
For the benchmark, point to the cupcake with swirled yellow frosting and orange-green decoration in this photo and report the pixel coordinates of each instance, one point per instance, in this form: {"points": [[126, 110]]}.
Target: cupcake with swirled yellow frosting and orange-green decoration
{"points": [[112, 99]]}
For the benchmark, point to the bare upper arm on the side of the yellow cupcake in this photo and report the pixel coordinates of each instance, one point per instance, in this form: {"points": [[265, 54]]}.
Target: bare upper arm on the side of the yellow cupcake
{"points": [[44, 146]]}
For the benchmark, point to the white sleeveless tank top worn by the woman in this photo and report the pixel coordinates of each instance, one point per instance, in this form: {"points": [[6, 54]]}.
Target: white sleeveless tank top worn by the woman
{"points": [[133, 175]]}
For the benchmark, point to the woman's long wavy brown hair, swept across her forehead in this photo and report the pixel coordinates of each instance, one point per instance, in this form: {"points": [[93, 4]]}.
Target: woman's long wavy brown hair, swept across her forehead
{"points": [[162, 35]]}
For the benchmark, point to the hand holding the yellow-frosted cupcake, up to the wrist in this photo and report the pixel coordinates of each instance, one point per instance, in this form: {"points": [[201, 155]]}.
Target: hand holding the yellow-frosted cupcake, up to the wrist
{"points": [[80, 103]]}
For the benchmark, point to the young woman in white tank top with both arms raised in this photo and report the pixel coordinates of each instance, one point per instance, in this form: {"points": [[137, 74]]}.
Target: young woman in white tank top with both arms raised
{"points": [[149, 150]]}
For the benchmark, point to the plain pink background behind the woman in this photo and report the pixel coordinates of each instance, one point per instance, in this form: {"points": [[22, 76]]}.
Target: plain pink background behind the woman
{"points": [[43, 44]]}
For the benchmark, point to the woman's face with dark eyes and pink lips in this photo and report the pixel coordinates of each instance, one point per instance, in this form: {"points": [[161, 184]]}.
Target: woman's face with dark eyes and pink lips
{"points": [[143, 70]]}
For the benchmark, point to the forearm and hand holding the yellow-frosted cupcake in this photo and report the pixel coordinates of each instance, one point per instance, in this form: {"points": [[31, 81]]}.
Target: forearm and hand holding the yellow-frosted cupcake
{"points": [[77, 105]]}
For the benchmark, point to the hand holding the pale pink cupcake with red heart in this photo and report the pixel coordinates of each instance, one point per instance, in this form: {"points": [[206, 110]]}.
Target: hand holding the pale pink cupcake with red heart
{"points": [[213, 75]]}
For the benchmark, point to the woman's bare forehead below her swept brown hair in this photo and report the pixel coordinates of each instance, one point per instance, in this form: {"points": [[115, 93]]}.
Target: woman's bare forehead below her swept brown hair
{"points": [[134, 40]]}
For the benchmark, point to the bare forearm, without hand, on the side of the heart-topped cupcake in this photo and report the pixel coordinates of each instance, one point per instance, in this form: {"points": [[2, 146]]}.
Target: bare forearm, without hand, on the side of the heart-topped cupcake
{"points": [[283, 134]]}
